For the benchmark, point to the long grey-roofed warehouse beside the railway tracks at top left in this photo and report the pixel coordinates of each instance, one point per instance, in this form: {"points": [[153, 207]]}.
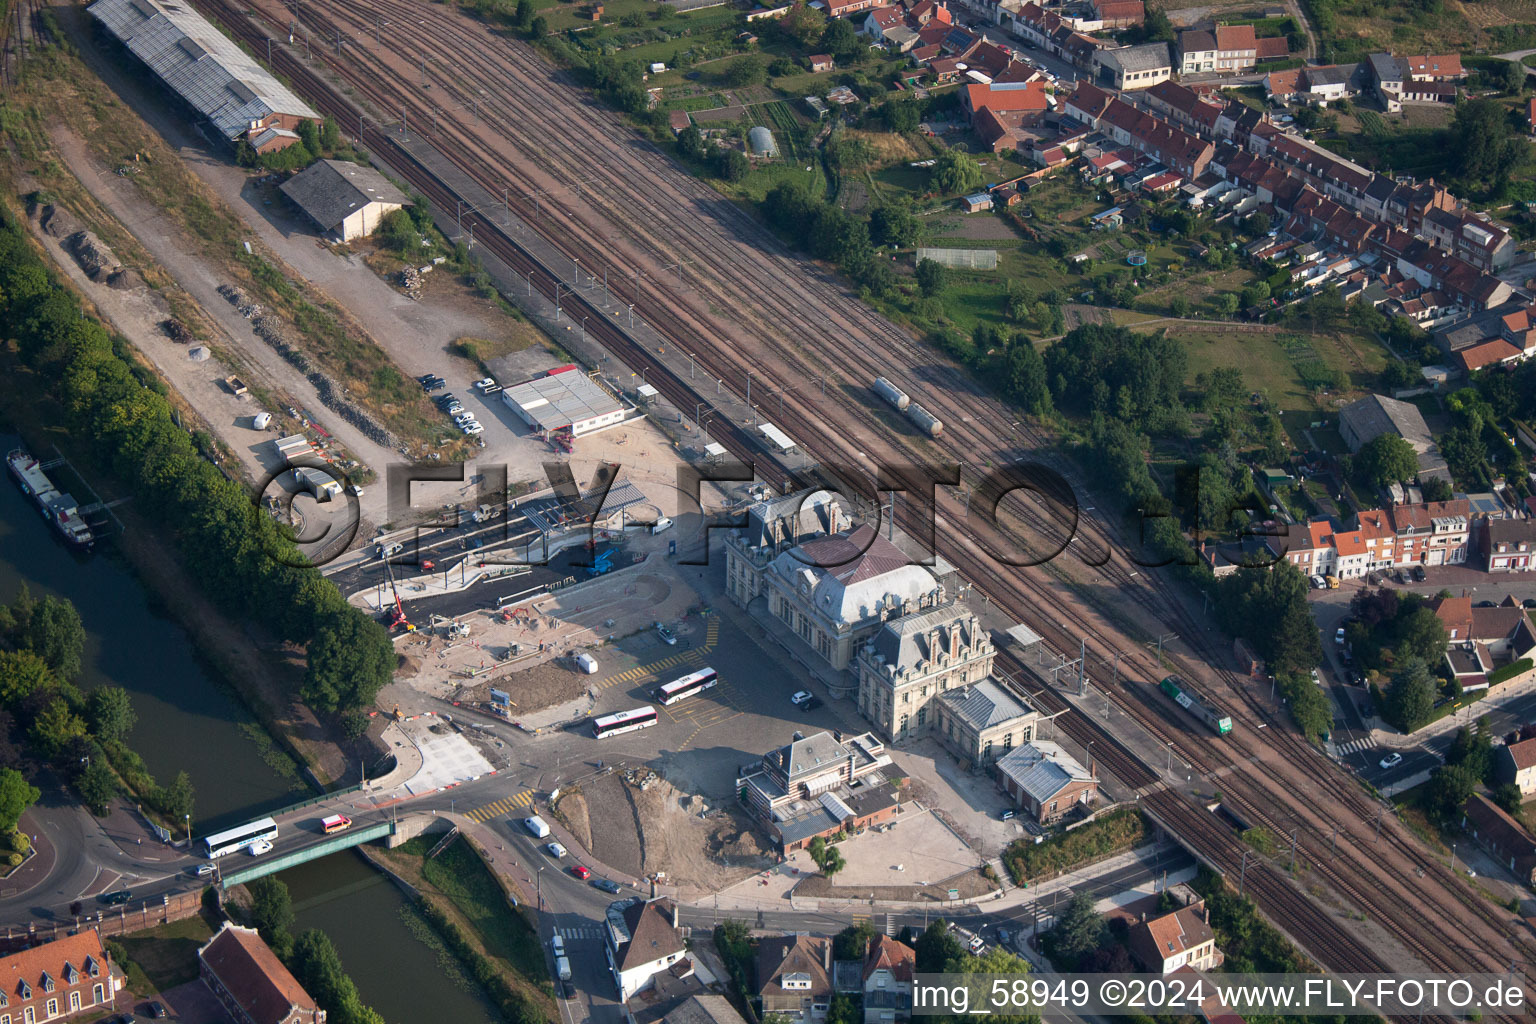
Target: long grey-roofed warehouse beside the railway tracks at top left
{"points": [[208, 71]]}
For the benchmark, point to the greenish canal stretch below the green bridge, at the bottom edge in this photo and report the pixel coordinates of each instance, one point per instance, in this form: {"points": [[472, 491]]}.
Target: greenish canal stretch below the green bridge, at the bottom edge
{"points": [[385, 946]]}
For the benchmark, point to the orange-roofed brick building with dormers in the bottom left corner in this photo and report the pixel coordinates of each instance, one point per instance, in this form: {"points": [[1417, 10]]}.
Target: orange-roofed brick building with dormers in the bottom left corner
{"points": [[56, 980]]}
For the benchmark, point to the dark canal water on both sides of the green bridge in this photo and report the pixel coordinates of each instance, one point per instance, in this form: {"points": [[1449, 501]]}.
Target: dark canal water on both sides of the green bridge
{"points": [[190, 724]]}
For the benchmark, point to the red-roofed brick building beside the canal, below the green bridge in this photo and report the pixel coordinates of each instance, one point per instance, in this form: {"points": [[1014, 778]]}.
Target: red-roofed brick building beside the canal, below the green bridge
{"points": [[253, 983]]}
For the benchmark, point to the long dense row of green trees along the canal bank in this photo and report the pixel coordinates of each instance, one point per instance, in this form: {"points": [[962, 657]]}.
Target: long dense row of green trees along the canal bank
{"points": [[247, 566]]}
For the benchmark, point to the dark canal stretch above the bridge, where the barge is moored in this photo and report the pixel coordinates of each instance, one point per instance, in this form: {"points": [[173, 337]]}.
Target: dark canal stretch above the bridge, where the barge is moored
{"points": [[185, 721]]}
